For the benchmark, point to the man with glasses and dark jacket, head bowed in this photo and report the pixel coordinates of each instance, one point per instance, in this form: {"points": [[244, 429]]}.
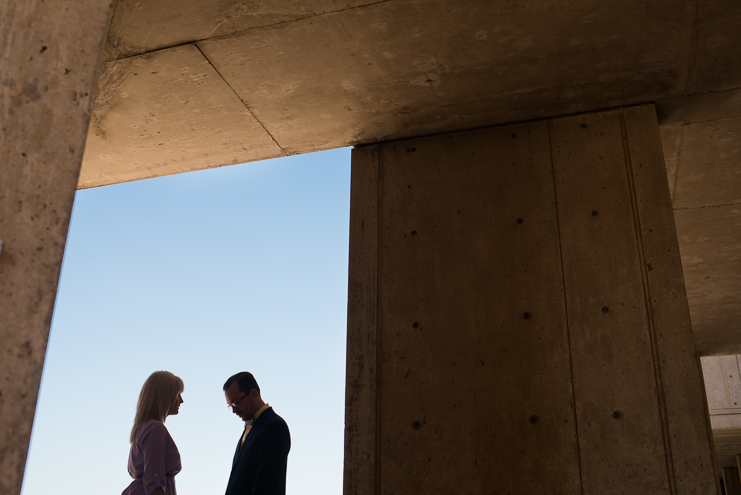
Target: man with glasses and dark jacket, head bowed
{"points": [[259, 466]]}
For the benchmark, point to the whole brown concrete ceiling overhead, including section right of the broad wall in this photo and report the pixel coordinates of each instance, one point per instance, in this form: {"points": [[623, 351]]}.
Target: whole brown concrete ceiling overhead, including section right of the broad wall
{"points": [[197, 84]]}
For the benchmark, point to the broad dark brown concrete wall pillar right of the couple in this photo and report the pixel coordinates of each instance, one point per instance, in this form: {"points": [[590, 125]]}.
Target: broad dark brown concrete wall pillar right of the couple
{"points": [[517, 316]]}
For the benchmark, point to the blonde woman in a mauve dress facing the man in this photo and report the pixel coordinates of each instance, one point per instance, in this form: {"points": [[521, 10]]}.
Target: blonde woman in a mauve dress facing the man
{"points": [[154, 459]]}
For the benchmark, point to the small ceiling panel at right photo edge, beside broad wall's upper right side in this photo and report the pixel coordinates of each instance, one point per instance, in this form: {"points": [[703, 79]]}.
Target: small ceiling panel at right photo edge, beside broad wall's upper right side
{"points": [[709, 172]]}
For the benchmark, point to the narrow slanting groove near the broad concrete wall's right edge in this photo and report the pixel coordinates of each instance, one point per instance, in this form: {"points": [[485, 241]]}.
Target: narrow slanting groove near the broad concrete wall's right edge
{"points": [[671, 475]]}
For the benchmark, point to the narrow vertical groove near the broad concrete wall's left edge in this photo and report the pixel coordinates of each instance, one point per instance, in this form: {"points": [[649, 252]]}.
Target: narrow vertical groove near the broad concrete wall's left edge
{"points": [[379, 313]]}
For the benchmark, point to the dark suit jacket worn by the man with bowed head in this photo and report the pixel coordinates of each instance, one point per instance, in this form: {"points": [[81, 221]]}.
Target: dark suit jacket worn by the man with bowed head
{"points": [[259, 466]]}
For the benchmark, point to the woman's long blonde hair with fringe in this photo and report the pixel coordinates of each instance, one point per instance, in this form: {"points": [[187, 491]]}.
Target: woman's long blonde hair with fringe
{"points": [[158, 395]]}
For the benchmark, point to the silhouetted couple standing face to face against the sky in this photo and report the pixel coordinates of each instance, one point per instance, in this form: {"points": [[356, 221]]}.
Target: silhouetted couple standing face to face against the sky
{"points": [[260, 461]]}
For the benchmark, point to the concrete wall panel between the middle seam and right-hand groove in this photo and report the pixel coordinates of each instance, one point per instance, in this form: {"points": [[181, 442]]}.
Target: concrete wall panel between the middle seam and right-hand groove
{"points": [[619, 424]]}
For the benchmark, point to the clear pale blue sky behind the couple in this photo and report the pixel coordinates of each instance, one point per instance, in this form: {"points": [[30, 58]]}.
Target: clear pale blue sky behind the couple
{"points": [[203, 274]]}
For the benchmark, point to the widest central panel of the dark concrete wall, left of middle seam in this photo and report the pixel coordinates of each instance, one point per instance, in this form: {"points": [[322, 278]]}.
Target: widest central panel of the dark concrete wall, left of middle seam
{"points": [[476, 384]]}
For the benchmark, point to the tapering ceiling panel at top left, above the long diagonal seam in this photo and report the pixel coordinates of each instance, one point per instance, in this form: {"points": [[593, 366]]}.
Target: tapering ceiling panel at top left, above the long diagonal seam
{"points": [[139, 27]]}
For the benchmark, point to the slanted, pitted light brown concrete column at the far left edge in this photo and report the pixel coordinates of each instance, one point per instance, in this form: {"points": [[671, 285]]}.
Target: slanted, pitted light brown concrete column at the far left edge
{"points": [[51, 54]]}
